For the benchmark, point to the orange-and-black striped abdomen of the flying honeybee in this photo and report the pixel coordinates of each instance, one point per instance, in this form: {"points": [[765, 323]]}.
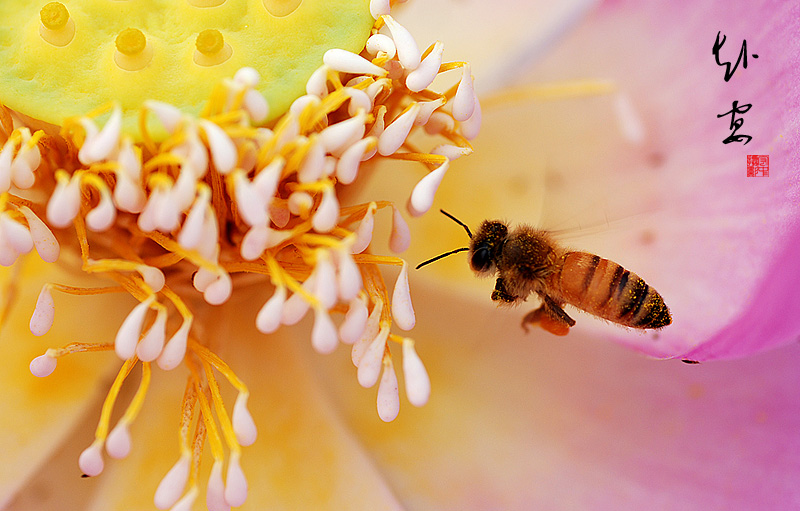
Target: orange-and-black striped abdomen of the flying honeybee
{"points": [[606, 289]]}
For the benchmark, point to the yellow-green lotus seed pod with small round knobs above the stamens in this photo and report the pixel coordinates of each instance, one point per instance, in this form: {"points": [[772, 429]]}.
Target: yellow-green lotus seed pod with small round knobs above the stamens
{"points": [[56, 64]]}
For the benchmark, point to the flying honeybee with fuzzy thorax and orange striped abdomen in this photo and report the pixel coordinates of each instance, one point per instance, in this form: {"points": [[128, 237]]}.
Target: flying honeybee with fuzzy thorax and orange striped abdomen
{"points": [[528, 260]]}
